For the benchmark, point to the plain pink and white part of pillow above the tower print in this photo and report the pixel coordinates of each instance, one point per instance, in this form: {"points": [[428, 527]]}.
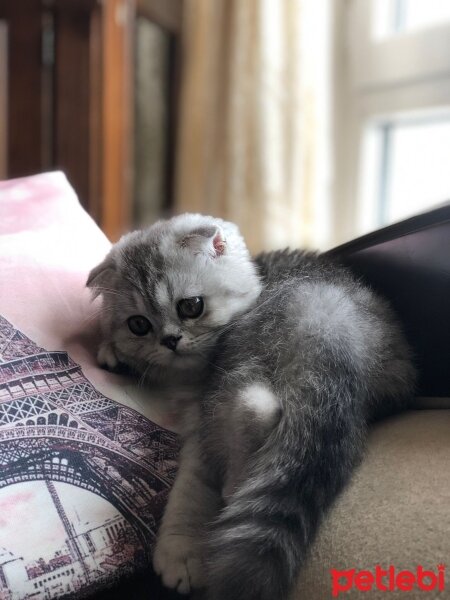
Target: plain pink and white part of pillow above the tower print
{"points": [[48, 244]]}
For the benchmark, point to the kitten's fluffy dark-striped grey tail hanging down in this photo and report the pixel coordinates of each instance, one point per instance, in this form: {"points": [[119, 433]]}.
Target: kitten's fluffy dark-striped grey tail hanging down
{"points": [[261, 538]]}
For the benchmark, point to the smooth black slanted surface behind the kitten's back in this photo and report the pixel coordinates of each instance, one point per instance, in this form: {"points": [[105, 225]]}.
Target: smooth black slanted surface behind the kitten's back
{"points": [[409, 263]]}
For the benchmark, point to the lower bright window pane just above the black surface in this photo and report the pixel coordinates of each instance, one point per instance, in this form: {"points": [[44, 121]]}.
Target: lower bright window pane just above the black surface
{"points": [[407, 168]]}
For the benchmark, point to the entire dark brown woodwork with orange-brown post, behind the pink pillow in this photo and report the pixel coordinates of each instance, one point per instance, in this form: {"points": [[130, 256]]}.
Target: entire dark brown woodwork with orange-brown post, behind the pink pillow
{"points": [[76, 114]]}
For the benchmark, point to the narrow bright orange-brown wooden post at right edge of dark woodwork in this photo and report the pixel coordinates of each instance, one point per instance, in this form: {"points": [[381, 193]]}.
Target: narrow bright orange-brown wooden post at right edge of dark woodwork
{"points": [[118, 24]]}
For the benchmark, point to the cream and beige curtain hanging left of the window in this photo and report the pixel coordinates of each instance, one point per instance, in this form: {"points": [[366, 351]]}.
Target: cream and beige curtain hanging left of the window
{"points": [[254, 123]]}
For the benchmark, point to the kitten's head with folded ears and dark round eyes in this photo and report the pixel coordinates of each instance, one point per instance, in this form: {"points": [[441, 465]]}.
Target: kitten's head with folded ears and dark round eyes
{"points": [[169, 290]]}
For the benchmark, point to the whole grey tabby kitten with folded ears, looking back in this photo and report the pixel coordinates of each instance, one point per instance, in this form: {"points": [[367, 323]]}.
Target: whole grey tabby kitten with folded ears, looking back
{"points": [[289, 358]]}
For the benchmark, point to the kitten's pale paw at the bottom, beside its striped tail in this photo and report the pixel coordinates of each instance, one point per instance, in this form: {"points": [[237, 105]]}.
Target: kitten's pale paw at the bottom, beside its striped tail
{"points": [[177, 560]]}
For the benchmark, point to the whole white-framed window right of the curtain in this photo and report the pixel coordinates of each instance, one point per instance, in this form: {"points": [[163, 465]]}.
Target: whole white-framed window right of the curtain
{"points": [[392, 111]]}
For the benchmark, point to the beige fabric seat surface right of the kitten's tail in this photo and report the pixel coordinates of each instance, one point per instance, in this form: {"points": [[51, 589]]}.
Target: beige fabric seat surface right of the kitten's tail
{"points": [[395, 512]]}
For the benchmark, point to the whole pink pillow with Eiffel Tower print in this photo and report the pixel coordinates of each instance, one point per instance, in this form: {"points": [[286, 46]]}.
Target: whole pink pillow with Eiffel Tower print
{"points": [[87, 458]]}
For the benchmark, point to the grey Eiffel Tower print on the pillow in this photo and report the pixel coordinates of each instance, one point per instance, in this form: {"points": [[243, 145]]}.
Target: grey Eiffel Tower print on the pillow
{"points": [[55, 427]]}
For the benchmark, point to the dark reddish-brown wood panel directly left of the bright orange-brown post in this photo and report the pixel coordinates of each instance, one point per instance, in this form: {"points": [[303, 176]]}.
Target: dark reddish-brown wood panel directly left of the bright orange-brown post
{"points": [[78, 98]]}
